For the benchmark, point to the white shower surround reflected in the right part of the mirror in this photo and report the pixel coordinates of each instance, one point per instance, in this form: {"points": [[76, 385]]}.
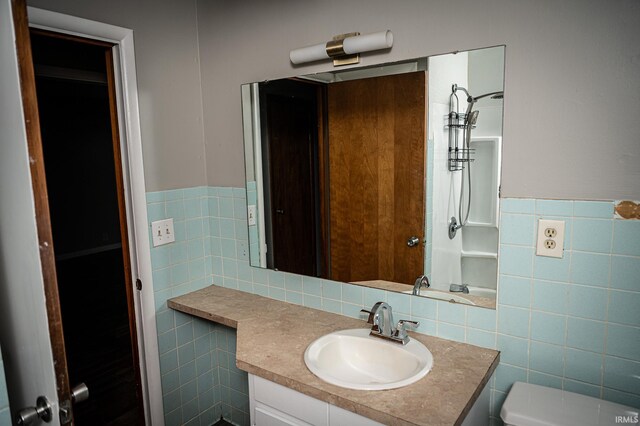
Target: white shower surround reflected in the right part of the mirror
{"points": [[448, 264]]}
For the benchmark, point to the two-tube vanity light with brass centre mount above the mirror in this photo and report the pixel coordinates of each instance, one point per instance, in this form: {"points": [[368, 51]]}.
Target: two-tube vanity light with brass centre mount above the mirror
{"points": [[344, 49]]}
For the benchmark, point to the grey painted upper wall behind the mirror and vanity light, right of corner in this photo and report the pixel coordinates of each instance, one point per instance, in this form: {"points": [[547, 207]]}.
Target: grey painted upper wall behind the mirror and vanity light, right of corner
{"points": [[572, 85]]}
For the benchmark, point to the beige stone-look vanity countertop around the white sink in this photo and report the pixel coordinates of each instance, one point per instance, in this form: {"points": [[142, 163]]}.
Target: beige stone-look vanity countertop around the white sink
{"points": [[272, 337]]}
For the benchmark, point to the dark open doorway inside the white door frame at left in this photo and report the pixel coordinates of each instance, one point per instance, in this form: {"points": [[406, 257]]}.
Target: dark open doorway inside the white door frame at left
{"points": [[78, 118]]}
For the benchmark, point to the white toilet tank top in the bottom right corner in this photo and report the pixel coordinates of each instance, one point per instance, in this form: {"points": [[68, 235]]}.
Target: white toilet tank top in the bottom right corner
{"points": [[533, 405]]}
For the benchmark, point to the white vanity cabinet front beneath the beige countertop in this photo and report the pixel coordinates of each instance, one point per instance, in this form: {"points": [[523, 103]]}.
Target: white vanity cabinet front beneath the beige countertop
{"points": [[274, 405]]}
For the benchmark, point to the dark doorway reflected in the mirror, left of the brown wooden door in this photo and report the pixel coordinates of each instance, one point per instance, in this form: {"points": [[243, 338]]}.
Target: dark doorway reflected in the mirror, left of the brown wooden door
{"points": [[291, 135]]}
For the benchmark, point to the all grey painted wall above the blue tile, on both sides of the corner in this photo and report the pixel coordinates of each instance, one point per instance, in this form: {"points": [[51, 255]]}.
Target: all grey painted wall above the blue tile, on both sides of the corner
{"points": [[572, 86]]}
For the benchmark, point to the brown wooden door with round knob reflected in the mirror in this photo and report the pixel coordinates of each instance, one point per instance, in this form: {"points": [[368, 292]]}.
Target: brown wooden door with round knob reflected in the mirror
{"points": [[377, 134]]}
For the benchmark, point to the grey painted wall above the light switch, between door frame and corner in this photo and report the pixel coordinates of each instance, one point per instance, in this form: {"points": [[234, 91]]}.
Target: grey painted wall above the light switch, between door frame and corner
{"points": [[168, 74]]}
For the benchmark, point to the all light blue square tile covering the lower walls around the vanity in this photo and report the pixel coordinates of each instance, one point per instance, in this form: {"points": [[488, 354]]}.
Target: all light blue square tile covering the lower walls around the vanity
{"points": [[570, 323]]}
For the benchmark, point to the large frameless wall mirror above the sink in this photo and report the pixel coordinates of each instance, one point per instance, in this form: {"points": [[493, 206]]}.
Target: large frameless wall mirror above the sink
{"points": [[379, 175]]}
